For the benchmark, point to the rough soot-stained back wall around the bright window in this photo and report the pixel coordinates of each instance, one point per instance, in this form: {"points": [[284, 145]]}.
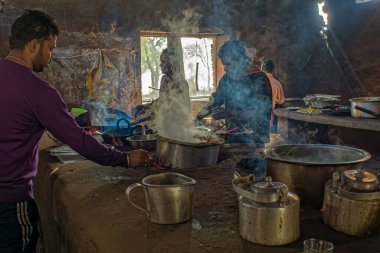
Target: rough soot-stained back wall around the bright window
{"points": [[286, 31]]}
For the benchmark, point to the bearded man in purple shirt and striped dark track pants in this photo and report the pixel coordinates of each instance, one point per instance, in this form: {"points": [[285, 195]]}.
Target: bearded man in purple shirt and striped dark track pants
{"points": [[28, 106]]}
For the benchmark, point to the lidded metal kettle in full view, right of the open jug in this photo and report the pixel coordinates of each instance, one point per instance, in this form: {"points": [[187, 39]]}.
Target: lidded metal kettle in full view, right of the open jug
{"points": [[268, 213]]}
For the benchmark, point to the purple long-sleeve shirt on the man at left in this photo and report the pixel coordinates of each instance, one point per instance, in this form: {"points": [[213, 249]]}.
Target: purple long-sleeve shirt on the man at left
{"points": [[28, 106]]}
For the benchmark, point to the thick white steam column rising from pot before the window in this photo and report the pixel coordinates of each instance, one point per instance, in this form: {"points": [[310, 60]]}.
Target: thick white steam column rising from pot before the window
{"points": [[173, 111]]}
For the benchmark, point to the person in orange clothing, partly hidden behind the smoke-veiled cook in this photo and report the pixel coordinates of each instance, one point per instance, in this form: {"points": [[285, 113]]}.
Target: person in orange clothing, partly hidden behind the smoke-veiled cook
{"points": [[278, 97]]}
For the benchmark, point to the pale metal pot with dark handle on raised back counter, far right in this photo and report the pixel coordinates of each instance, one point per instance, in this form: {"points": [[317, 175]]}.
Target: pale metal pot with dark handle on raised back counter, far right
{"points": [[371, 104]]}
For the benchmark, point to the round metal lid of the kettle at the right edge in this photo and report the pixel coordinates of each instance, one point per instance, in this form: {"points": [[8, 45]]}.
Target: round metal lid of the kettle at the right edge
{"points": [[360, 179]]}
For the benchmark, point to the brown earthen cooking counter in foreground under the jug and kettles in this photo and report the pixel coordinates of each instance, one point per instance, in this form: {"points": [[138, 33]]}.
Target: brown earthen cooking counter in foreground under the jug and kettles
{"points": [[83, 208]]}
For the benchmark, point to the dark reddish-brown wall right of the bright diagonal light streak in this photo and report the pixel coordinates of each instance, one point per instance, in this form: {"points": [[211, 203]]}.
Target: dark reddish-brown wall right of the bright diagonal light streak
{"points": [[357, 27]]}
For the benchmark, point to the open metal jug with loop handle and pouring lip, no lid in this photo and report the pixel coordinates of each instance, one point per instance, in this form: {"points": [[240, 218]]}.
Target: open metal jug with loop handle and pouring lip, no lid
{"points": [[169, 197]]}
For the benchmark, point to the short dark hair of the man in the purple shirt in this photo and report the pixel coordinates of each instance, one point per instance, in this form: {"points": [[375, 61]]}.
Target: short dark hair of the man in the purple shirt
{"points": [[32, 24]]}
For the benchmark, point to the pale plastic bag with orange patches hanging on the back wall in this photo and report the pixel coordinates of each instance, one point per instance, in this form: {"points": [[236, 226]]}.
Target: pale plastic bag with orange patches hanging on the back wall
{"points": [[103, 80]]}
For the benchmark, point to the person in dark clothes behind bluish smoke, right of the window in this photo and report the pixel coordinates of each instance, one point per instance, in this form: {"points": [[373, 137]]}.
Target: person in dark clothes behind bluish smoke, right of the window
{"points": [[245, 95]]}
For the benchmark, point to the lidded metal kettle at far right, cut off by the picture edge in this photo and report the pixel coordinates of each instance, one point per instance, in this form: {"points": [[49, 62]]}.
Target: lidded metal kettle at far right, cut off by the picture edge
{"points": [[349, 208]]}
